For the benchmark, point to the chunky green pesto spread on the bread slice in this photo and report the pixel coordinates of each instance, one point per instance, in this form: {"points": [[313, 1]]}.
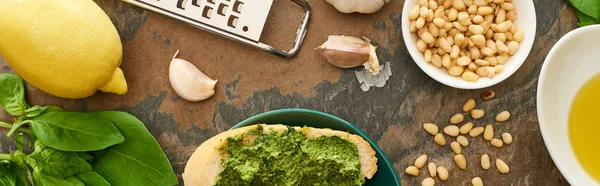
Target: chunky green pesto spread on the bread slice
{"points": [[289, 158]]}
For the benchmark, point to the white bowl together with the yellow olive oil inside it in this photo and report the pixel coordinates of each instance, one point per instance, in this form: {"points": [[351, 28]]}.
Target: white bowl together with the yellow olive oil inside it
{"points": [[568, 105]]}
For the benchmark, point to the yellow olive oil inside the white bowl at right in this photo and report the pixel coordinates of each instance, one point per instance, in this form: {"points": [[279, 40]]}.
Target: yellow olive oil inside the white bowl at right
{"points": [[584, 124]]}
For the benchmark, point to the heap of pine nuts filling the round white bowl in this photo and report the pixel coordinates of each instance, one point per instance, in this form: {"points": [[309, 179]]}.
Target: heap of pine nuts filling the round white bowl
{"points": [[468, 38]]}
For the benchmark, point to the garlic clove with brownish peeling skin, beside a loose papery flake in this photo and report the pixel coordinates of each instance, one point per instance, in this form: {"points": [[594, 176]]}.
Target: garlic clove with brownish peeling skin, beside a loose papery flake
{"points": [[349, 52]]}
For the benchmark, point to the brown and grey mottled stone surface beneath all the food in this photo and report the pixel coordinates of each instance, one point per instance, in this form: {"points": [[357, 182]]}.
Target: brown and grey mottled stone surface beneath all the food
{"points": [[252, 82]]}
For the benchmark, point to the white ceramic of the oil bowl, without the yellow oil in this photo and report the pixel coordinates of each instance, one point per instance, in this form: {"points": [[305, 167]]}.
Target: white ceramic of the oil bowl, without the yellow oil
{"points": [[570, 64]]}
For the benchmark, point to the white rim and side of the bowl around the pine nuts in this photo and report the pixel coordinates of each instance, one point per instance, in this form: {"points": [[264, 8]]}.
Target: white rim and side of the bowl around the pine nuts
{"points": [[526, 20]]}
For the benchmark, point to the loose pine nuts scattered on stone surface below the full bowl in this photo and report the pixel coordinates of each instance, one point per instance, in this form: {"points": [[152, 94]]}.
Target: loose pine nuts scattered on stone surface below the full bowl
{"points": [[462, 141]]}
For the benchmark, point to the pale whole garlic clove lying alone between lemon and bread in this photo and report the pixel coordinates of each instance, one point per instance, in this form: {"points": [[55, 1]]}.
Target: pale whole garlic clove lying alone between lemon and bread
{"points": [[189, 82]]}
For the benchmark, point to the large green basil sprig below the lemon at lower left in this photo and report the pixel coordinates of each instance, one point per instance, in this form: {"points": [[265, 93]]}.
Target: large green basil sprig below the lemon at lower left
{"points": [[77, 148]]}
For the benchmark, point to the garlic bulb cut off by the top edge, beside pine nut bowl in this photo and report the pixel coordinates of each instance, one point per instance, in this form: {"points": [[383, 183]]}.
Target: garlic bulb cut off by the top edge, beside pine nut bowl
{"points": [[360, 6]]}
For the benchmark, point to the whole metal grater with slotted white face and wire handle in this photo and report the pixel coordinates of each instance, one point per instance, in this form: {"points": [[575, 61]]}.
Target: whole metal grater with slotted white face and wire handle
{"points": [[240, 20]]}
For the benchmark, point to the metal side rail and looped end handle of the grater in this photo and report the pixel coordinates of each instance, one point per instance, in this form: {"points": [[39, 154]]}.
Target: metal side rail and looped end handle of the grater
{"points": [[300, 33]]}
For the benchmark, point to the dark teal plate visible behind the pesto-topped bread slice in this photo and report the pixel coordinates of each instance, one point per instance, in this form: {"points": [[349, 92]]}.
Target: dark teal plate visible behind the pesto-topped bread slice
{"points": [[386, 175]]}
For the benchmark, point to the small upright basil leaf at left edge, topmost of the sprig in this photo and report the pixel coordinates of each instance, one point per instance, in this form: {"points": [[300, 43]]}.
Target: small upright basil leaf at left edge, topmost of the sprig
{"points": [[12, 94]]}
